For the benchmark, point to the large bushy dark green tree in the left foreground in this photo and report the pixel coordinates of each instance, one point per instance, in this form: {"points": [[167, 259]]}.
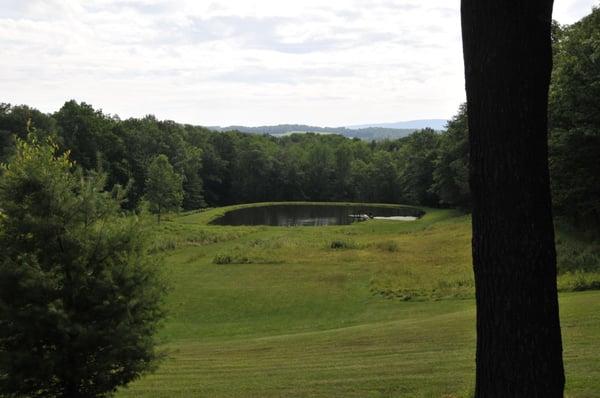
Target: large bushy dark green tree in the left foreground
{"points": [[80, 300]]}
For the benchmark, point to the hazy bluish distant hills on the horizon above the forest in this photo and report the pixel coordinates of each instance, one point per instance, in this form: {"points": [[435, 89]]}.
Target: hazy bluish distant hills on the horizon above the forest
{"points": [[364, 133]]}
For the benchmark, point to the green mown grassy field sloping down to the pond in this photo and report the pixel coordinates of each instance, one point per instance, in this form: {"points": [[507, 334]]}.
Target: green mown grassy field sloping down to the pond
{"points": [[277, 312]]}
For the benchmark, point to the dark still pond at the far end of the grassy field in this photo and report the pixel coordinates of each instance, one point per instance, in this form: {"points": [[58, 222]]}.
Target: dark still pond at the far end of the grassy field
{"points": [[314, 214]]}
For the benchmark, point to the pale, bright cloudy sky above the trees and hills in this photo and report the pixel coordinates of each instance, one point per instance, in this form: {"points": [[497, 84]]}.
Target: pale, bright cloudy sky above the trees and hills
{"points": [[241, 62]]}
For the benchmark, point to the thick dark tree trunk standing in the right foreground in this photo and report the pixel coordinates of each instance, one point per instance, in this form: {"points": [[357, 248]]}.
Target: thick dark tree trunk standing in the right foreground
{"points": [[508, 60]]}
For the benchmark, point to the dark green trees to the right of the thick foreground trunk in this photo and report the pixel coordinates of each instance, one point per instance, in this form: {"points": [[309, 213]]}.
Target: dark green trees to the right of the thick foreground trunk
{"points": [[575, 121]]}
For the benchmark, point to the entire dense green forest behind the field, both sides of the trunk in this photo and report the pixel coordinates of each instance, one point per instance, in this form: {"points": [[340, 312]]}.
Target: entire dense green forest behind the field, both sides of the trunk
{"points": [[427, 167]]}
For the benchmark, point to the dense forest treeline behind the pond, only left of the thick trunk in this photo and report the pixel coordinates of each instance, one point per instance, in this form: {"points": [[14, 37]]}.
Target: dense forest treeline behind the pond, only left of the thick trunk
{"points": [[219, 168]]}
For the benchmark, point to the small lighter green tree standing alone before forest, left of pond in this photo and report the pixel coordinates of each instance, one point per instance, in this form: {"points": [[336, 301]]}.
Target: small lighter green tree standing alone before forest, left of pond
{"points": [[164, 189]]}
